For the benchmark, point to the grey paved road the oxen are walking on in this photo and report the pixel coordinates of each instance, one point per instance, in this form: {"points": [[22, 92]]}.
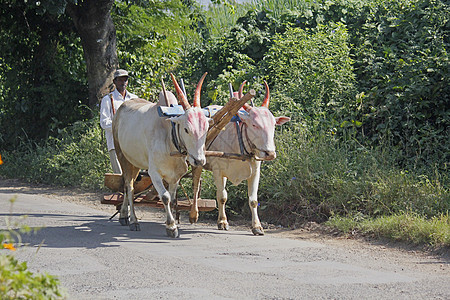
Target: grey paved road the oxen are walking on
{"points": [[98, 259]]}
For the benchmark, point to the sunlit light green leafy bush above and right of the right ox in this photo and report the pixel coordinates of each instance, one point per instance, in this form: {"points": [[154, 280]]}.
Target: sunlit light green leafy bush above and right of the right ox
{"points": [[314, 69]]}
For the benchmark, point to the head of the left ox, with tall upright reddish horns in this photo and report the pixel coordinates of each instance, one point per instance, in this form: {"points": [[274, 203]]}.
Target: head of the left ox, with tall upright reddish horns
{"points": [[192, 126]]}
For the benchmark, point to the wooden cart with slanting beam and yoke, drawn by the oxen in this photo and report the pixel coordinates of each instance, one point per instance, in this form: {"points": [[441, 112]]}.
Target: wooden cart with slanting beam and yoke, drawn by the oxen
{"points": [[144, 192]]}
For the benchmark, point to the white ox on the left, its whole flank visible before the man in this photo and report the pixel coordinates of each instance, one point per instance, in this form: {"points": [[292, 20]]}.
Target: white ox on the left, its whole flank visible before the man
{"points": [[143, 140]]}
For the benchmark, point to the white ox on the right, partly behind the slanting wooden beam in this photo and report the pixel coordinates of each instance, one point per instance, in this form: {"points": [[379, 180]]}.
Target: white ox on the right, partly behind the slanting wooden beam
{"points": [[257, 126]]}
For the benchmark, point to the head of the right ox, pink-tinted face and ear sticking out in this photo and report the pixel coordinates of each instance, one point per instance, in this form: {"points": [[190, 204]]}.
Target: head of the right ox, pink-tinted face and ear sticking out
{"points": [[260, 126]]}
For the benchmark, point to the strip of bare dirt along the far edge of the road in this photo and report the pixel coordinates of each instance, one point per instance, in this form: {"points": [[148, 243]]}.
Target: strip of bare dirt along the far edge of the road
{"points": [[399, 253]]}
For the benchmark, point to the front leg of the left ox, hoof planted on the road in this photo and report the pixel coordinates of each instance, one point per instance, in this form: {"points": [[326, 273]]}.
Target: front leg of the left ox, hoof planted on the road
{"points": [[164, 195]]}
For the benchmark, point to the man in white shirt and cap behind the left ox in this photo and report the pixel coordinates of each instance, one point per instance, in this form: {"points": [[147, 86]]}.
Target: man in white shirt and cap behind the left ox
{"points": [[108, 107]]}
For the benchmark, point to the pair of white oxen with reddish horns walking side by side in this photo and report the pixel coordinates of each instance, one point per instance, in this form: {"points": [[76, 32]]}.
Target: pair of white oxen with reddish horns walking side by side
{"points": [[145, 140]]}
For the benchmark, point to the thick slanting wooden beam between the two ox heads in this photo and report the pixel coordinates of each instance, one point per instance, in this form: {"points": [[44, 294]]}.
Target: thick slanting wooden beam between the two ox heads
{"points": [[224, 115]]}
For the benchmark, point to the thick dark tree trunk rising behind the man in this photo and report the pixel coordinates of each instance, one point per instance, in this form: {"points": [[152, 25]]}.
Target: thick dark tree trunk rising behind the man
{"points": [[92, 19]]}
